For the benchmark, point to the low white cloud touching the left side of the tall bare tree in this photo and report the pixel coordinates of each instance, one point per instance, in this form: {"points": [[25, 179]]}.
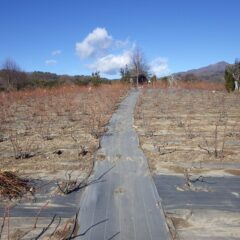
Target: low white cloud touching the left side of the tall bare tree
{"points": [[111, 63]]}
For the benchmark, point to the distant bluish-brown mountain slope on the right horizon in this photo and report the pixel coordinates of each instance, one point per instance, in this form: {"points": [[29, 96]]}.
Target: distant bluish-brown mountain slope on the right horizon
{"points": [[211, 73]]}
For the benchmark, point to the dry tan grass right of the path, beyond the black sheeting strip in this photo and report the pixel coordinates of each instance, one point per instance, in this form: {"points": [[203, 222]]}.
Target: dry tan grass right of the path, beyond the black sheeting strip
{"points": [[184, 128]]}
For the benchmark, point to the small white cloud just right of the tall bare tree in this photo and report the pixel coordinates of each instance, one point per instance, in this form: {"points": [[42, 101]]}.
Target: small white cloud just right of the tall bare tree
{"points": [[159, 66]]}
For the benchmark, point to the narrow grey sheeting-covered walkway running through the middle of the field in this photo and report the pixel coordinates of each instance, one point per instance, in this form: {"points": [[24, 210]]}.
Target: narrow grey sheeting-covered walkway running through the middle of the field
{"points": [[124, 204]]}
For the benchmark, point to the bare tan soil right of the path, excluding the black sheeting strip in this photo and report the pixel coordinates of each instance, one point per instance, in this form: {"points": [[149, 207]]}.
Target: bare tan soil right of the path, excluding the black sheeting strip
{"points": [[192, 134]]}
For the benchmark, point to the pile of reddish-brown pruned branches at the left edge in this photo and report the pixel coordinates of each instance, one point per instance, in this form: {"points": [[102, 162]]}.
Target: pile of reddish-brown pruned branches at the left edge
{"points": [[12, 186]]}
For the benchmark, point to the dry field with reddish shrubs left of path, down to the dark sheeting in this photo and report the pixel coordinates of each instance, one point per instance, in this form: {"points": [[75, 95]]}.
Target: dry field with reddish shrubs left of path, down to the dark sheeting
{"points": [[42, 131]]}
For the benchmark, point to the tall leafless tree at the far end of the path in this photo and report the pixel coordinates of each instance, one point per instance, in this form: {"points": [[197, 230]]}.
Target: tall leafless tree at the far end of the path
{"points": [[138, 64]]}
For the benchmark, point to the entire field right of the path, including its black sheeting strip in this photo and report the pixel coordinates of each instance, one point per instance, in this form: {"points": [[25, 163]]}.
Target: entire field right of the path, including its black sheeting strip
{"points": [[191, 138]]}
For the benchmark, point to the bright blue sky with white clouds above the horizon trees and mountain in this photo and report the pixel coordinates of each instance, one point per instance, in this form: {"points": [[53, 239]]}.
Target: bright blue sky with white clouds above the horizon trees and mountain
{"points": [[81, 36]]}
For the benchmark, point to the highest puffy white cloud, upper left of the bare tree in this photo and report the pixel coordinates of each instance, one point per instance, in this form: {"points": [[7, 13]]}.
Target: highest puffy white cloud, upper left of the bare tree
{"points": [[95, 44]]}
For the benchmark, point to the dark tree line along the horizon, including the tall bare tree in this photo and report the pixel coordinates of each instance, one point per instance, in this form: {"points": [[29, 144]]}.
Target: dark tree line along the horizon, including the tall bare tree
{"points": [[13, 78]]}
